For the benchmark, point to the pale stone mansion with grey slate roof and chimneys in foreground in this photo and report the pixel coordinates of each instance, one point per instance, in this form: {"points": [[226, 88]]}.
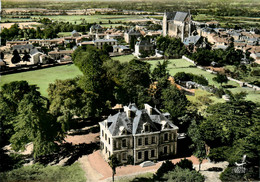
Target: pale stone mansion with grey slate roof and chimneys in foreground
{"points": [[139, 135]]}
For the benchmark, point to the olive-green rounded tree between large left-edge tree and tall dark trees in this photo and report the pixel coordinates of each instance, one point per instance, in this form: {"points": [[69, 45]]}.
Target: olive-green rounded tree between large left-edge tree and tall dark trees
{"points": [[67, 99]]}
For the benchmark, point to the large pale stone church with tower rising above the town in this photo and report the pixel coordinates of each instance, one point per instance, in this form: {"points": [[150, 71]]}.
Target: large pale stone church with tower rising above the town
{"points": [[177, 24]]}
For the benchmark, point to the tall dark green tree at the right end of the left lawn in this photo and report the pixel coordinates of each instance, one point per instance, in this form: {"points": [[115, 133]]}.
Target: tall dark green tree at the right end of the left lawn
{"points": [[94, 82]]}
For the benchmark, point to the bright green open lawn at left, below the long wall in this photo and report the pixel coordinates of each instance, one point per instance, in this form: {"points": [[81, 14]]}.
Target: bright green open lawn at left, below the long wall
{"points": [[43, 77]]}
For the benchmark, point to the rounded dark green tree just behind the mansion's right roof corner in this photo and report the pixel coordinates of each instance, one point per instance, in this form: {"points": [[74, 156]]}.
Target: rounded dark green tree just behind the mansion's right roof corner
{"points": [[174, 101]]}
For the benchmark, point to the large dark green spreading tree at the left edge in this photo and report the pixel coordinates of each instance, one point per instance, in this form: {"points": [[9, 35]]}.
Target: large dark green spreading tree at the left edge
{"points": [[25, 118]]}
